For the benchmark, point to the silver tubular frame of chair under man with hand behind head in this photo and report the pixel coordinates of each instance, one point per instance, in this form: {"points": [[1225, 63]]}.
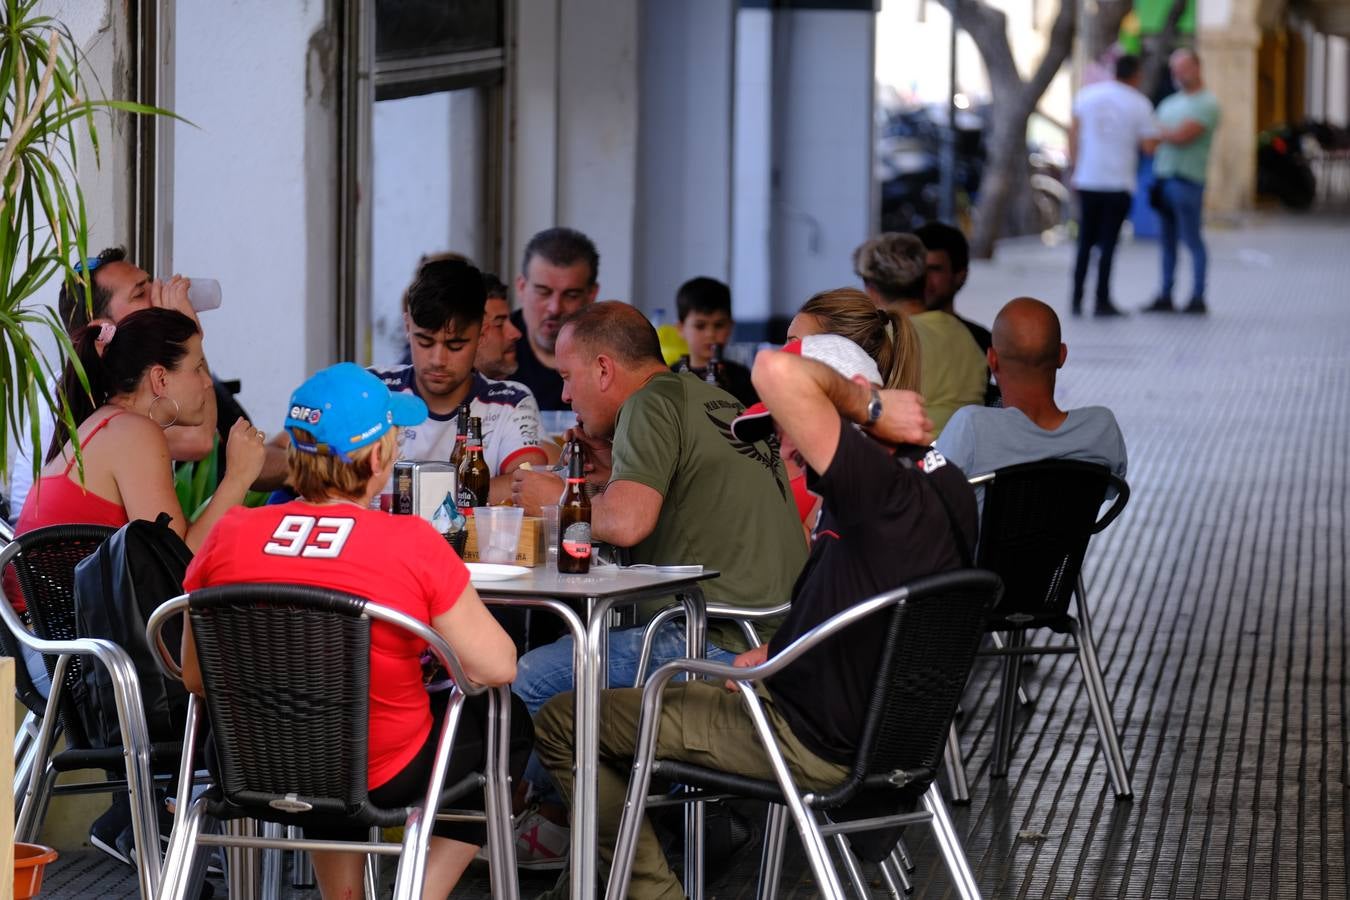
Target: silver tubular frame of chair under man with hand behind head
{"points": [[803, 808]]}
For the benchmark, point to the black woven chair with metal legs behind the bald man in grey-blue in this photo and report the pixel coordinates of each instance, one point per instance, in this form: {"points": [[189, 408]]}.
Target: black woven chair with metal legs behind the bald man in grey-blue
{"points": [[1035, 534]]}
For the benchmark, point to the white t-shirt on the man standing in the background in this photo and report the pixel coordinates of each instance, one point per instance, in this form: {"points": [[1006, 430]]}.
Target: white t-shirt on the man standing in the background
{"points": [[1113, 119]]}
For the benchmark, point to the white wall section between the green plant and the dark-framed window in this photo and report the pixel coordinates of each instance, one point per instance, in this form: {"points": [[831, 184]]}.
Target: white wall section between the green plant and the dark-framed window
{"points": [[254, 190]]}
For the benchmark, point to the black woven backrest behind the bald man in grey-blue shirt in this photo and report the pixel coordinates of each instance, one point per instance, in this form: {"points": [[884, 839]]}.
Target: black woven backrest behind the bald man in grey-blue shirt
{"points": [[1035, 534]]}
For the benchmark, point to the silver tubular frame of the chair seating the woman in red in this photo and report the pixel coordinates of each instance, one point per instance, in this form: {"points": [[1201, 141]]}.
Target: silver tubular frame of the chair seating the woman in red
{"points": [[412, 870]]}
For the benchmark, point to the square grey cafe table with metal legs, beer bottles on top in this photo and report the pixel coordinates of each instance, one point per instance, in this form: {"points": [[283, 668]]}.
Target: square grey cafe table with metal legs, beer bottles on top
{"points": [[584, 602]]}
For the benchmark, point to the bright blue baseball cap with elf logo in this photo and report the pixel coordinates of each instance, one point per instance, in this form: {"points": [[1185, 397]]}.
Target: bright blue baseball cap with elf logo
{"points": [[346, 408]]}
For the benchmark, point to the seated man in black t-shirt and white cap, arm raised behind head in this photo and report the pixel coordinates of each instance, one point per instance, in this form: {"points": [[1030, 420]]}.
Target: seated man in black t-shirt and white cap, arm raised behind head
{"points": [[884, 490]]}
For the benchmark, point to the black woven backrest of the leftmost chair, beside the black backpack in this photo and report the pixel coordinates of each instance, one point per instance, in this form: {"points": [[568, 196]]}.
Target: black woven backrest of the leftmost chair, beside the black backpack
{"points": [[47, 570]]}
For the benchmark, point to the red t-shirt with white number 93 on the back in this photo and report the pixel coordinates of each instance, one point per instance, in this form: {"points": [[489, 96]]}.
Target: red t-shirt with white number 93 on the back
{"points": [[395, 561]]}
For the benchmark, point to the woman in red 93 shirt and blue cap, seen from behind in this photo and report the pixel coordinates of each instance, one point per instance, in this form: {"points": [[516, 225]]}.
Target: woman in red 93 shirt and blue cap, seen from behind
{"points": [[344, 424]]}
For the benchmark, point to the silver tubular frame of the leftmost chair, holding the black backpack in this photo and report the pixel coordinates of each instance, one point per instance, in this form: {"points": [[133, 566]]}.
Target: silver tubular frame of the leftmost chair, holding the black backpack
{"points": [[132, 719]]}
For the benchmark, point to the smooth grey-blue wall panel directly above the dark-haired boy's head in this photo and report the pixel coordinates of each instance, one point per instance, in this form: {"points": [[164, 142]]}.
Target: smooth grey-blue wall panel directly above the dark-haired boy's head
{"points": [[685, 148]]}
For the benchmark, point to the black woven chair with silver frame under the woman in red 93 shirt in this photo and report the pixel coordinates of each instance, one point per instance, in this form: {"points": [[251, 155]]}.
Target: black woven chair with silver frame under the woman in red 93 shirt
{"points": [[288, 685]]}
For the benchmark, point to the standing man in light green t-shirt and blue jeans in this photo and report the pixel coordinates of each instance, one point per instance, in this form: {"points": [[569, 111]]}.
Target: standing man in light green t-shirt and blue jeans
{"points": [[1187, 121]]}
